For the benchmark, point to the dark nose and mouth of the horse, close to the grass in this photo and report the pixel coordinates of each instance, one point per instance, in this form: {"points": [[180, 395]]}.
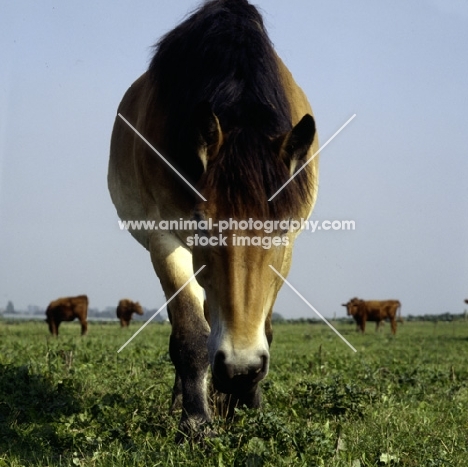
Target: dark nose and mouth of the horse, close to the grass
{"points": [[230, 377]]}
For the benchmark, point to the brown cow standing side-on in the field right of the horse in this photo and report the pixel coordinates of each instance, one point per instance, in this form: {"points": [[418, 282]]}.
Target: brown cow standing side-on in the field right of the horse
{"points": [[373, 310]]}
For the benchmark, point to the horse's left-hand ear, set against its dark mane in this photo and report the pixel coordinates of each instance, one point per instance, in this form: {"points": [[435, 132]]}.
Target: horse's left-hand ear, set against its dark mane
{"points": [[209, 135]]}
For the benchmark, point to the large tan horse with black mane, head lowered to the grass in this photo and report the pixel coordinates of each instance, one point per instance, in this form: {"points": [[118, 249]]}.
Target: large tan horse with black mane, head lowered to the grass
{"points": [[221, 107]]}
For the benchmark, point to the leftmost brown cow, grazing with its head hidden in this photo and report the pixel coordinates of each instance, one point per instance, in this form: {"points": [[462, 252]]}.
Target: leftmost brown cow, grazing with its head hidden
{"points": [[67, 309]]}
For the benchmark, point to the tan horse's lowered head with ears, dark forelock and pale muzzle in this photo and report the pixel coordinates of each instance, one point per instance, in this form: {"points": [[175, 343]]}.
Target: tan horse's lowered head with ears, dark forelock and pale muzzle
{"points": [[248, 235]]}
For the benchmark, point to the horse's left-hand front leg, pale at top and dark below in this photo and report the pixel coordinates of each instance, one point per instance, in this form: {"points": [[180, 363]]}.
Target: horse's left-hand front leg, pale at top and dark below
{"points": [[187, 347]]}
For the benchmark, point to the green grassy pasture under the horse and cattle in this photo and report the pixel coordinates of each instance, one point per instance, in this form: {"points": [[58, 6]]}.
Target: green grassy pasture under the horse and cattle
{"points": [[72, 401]]}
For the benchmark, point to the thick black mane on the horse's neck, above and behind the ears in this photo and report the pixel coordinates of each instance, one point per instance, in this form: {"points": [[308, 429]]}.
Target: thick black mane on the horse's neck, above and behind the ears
{"points": [[220, 54]]}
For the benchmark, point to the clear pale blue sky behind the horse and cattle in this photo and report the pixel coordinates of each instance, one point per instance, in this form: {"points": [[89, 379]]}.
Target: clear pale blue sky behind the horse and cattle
{"points": [[400, 169]]}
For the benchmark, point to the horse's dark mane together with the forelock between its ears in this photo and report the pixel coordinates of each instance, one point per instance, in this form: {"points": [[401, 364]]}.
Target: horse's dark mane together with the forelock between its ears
{"points": [[221, 54]]}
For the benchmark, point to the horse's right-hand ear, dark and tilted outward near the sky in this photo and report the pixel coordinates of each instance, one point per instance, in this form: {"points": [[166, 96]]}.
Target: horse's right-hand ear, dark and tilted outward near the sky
{"points": [[296, 143]]}
